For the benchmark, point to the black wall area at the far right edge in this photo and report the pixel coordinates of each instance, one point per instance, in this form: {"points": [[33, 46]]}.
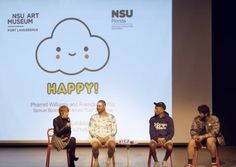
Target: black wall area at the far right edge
{"points": [[223, 64]]}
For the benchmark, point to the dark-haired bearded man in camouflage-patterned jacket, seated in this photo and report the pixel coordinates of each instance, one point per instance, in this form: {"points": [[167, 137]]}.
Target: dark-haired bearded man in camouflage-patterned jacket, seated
{"points": [[204, 130]]}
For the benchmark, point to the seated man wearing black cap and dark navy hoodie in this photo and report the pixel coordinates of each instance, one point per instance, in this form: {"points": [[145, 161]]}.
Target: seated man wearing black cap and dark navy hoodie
{"points": [[161, 132]]}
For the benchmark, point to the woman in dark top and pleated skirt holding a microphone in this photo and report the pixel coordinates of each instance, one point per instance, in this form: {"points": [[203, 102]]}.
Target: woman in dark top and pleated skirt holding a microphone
{"points": [[62, 132]]}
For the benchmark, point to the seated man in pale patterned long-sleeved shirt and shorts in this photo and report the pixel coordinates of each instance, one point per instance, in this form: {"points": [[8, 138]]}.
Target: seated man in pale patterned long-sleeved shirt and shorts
{"points": [[102, 130]]}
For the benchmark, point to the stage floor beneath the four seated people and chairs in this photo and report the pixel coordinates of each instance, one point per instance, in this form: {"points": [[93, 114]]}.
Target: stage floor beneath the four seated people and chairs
{"points": [[35, 157]]}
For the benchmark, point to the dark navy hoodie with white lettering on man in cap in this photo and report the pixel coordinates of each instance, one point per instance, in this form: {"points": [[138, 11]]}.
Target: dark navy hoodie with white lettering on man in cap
{"points": [[161, 127]]}
